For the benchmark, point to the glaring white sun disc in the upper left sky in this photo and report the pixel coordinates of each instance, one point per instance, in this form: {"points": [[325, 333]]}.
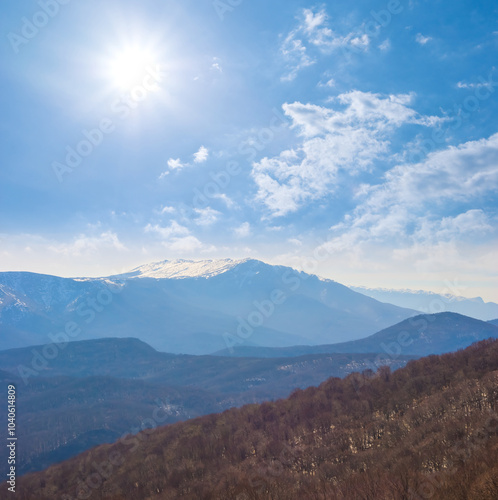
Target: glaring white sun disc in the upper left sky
{"points": [[129, 66]]}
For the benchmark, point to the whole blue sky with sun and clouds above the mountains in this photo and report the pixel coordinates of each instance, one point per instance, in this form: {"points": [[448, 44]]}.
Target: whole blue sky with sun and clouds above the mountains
{"points": [[357, 140]]}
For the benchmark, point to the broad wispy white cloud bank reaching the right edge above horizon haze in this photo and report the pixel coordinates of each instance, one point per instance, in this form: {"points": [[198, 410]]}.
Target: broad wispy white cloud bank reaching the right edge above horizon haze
{"points": [[408, 208]]}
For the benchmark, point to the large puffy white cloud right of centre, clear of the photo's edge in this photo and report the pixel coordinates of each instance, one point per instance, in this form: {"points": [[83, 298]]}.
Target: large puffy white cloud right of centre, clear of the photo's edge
{"points": [[349, 140]]}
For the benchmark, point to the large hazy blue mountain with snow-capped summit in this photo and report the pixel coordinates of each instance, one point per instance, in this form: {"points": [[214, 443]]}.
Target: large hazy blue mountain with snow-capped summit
{"points": [[190, 307]]}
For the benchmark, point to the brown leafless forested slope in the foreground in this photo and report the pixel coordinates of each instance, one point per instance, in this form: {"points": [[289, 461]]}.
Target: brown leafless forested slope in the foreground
{"points": [[429, 430]]}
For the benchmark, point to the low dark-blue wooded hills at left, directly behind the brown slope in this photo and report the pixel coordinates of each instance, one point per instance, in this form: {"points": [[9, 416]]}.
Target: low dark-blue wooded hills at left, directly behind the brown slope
{"points": [[91, 392]]}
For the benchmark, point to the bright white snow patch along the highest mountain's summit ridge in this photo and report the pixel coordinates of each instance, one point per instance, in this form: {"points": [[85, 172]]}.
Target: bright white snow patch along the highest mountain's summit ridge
{"points": [[180, 269]]}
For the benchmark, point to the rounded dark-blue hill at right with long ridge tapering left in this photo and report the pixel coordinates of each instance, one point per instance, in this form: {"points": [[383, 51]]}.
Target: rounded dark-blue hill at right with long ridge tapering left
{"points": [[418, 336]]}
